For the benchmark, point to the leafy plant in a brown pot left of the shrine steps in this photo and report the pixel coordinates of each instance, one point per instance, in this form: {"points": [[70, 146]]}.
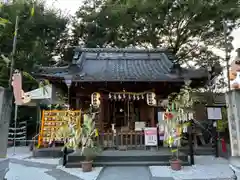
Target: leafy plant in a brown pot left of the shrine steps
{"points": [[89, 149]]}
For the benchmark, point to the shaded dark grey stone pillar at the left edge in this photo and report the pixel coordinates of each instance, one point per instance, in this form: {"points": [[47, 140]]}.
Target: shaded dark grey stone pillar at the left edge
{"points": [[5, 115]]}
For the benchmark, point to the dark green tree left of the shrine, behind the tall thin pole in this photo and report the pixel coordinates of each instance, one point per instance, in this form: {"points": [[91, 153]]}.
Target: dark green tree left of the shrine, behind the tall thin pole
{"points": [[39, 33]]}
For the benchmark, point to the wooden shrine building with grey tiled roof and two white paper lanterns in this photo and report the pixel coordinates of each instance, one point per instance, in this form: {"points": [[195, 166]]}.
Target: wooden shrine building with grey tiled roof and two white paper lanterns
{"points": [[131, 84]]}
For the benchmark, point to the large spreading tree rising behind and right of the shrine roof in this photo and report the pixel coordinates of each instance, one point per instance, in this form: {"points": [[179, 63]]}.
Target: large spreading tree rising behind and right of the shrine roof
{"points": [[187, 27]]}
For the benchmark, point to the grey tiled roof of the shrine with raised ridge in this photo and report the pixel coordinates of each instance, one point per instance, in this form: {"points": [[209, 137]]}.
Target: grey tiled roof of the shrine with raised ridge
{"points": [[119, 65]]}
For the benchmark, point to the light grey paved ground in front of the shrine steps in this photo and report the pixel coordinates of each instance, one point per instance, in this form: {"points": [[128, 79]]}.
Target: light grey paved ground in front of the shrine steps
{"points": [[24, 168]]}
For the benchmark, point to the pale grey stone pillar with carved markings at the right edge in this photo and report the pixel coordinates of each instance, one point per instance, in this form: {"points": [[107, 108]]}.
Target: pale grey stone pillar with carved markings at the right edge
{"points": [[233, 109]]}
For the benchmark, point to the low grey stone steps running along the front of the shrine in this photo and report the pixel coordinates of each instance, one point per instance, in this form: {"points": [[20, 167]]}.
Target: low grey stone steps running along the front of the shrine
{"points": [[127, 158]]}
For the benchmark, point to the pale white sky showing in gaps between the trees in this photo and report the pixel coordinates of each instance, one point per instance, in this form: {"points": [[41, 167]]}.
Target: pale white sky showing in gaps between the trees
{"points": [[71, 6]]}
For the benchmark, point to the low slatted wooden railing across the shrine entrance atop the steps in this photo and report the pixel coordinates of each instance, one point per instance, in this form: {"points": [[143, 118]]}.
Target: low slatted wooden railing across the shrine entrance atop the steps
{"points": [[121, 140]]}
